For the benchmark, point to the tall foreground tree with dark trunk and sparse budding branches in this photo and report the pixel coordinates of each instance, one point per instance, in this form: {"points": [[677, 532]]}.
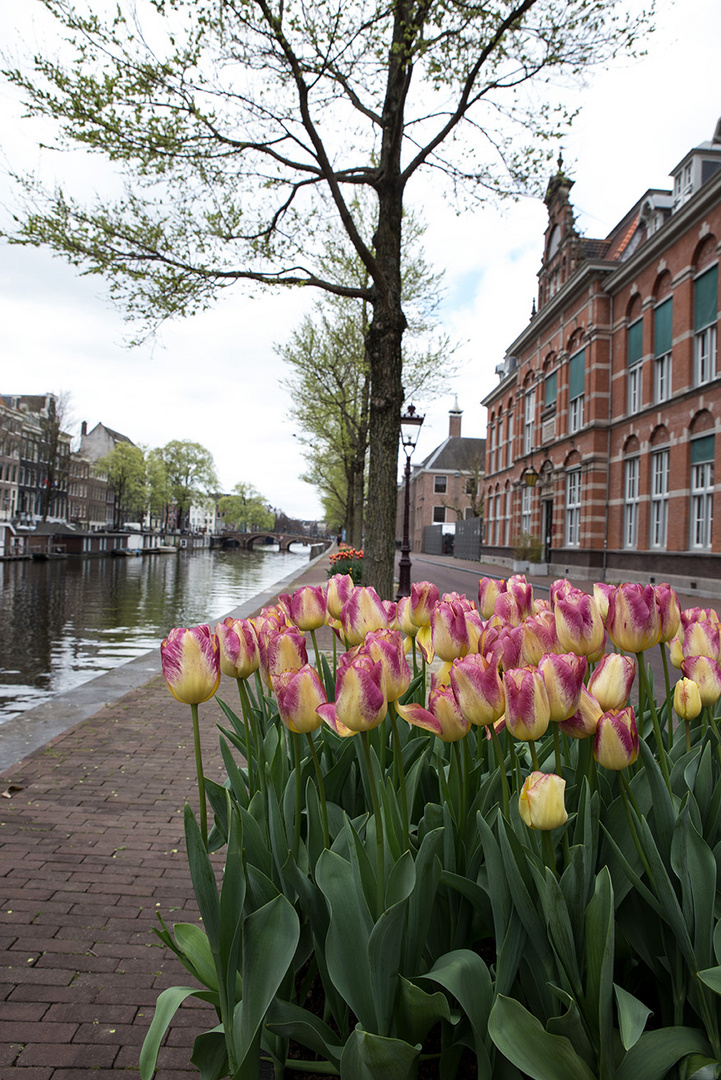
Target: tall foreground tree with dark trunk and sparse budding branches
{"points": [[243, 127]]}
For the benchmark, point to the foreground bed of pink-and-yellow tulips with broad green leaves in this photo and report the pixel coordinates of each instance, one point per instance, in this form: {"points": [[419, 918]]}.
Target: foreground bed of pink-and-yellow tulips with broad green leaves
{"points": [[506, 869]]}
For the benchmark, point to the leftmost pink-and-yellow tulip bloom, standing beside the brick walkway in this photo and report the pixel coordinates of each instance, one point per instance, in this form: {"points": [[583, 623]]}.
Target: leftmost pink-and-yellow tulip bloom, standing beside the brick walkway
{"points": [[191, 660]]}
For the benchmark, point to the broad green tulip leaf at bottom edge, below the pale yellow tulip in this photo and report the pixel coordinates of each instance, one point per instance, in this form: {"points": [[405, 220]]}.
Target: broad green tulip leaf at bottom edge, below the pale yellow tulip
{"points": [[522, 1038]]}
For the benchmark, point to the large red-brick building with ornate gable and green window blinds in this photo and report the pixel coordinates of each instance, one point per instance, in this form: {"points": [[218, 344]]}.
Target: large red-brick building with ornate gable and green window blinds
{"points": [[611, 396]]}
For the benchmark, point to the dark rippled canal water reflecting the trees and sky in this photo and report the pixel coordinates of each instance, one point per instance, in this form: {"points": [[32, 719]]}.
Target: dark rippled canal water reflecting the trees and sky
{"points": [[66, 622]]}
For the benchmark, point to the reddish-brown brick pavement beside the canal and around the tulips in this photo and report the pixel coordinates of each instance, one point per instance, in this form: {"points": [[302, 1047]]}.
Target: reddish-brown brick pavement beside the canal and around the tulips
{"points": [[91, 847]]}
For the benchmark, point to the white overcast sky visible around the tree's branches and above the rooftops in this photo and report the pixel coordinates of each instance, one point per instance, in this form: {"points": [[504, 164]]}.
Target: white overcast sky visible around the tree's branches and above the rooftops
{"points": [[216, 379]]}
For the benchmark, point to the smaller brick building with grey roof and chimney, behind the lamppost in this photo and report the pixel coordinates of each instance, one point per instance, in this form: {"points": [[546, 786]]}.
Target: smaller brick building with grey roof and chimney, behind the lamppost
{"points": [[445, 488]]}
